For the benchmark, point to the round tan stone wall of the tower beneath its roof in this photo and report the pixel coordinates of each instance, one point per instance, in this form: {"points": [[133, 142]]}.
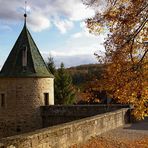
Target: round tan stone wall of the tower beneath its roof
{"points": [[23, 98]]}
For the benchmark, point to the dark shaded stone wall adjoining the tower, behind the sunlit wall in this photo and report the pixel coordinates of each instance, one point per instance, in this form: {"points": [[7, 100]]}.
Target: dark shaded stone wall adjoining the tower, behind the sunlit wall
{"points": [[57, 114]]}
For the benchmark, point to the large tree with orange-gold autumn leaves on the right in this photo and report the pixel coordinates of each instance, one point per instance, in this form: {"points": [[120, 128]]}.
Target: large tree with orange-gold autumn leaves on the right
{"points": [[126, 49]]}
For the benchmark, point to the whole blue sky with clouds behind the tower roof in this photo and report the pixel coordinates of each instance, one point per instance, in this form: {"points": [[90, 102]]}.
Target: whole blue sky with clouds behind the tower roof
{"points": [[57, 27]]}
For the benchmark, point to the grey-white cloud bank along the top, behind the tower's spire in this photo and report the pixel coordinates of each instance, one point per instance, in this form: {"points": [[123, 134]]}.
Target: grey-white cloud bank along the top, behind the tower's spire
{"points": [[42, 13]]}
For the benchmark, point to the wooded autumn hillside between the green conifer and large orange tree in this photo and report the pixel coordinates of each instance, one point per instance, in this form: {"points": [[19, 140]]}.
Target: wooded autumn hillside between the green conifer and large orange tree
{"points": [[87, 80]]}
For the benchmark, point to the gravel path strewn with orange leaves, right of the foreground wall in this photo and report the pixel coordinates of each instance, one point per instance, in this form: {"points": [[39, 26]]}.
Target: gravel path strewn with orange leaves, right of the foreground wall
{"points": [[129, 136]]}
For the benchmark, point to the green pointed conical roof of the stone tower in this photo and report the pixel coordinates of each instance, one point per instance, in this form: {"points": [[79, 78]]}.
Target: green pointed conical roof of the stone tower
{"points": [[35, 65]]}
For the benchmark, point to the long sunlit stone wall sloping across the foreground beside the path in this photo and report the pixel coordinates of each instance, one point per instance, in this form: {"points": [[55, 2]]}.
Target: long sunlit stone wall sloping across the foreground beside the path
{"points": [[67, 134]]}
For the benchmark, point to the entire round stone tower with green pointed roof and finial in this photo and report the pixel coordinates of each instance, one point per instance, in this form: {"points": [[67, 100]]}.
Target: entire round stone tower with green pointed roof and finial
{"points": [[25, 85]]}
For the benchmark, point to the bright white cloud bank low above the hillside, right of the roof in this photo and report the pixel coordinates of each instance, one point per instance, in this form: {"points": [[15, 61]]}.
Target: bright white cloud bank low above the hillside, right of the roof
{"points": [[79, 49]]}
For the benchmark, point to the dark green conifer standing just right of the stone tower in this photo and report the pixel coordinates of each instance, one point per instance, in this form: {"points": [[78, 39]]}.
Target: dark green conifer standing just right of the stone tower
{"points": [[64, 90]]}
